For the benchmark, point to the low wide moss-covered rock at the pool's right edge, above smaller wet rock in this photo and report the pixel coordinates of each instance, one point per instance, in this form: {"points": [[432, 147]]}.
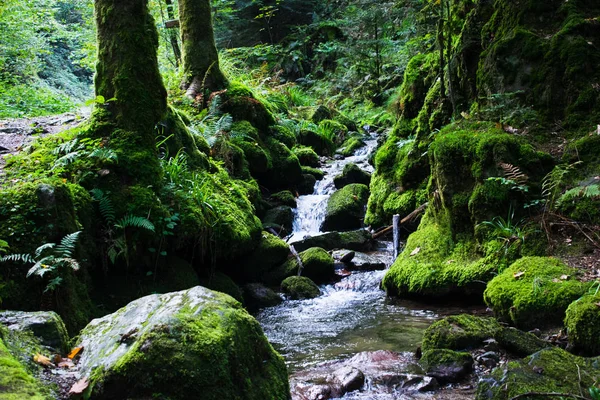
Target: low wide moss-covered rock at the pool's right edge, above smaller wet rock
{"points": [[459, 332]]}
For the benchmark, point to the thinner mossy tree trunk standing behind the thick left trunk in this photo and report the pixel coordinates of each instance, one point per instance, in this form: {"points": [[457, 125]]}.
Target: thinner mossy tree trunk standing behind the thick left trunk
{"points": [[200, 57]]}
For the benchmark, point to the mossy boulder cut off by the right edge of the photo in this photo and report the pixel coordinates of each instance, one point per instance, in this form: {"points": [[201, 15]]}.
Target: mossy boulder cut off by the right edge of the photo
{"points": [[583, 324]]}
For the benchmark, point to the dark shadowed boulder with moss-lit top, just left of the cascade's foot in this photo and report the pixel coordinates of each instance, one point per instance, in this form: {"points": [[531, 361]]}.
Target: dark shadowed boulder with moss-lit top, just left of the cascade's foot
{"points": [[270, 253]]}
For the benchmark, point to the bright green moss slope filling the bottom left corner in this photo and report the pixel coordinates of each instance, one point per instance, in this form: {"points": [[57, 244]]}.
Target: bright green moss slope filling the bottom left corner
{"points": [[16, 382]]}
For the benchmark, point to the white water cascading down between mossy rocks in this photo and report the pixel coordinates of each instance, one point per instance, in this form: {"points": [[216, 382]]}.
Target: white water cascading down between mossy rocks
{"points": [[310, 212]]}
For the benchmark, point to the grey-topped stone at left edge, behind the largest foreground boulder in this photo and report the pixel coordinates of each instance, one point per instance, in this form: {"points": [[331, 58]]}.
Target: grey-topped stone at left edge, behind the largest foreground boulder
{"points": [[46, 326]]}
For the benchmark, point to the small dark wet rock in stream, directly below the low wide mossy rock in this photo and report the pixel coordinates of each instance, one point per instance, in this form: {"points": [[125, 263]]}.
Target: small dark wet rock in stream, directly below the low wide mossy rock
{"points": [[447, 366]]}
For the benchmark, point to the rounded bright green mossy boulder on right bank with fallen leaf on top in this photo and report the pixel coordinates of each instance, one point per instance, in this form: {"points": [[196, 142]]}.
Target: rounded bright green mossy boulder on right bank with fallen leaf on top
{"points": [[534, 292]]}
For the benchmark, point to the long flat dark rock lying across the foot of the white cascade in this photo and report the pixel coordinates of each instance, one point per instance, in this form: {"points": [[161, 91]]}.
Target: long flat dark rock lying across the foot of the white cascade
{"points": [[359, 240]]}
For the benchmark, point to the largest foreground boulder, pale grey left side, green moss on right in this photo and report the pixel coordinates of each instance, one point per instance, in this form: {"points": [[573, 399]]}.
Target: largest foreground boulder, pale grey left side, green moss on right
{"points": [[181, 345]]}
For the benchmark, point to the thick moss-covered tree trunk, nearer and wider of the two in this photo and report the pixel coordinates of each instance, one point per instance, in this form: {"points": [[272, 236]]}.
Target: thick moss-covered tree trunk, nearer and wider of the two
{"points": [[127, 77]]}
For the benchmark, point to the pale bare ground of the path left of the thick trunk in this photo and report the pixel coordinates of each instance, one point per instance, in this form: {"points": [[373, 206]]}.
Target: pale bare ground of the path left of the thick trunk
{"points": [[16, 133]]}
